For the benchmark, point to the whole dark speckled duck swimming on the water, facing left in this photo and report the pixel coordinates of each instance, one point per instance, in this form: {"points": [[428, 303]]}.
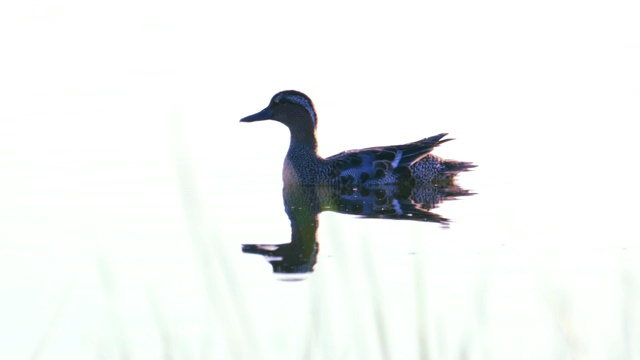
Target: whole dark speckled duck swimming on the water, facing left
{"points": [[410, 163]]}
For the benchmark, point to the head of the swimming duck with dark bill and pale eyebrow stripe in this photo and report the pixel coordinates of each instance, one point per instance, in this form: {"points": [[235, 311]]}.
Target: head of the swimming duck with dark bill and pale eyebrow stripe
{"points": [[289, 107]]}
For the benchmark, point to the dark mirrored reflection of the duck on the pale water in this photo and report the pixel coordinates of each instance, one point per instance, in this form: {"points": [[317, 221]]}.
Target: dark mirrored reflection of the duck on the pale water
{"points": [[303, 203]]}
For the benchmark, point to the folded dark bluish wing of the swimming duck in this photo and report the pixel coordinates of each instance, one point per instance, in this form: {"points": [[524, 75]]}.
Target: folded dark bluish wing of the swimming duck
{"points": [[383, 163]]}
